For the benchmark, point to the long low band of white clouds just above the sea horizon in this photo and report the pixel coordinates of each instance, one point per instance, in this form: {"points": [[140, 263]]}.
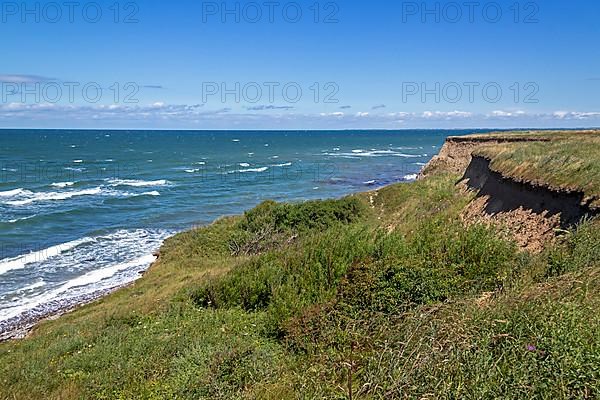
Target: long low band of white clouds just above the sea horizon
{"points": [[197, 116]]}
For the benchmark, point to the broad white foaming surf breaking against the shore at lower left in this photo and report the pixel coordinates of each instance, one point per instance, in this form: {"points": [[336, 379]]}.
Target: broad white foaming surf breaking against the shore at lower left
{"points": [[77, 270]]}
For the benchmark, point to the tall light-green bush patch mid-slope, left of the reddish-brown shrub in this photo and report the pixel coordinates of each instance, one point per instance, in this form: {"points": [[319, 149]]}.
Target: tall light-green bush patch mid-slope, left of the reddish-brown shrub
{"points": [[285, 280]]}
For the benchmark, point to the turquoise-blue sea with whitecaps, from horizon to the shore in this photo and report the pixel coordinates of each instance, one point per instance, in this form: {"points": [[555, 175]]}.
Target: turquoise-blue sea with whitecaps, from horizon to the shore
{"points": [[81, 212]]}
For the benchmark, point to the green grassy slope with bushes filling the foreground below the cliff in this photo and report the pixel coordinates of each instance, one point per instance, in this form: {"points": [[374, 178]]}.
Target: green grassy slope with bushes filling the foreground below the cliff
{"points": [[384, 295]]}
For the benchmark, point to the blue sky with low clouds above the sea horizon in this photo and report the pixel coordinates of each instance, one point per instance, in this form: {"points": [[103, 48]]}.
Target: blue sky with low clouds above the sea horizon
{"points": [[300, 65]]}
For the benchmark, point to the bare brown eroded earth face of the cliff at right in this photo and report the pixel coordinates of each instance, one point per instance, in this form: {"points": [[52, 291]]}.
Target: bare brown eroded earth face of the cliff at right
{"points": [[530, 213]]}
